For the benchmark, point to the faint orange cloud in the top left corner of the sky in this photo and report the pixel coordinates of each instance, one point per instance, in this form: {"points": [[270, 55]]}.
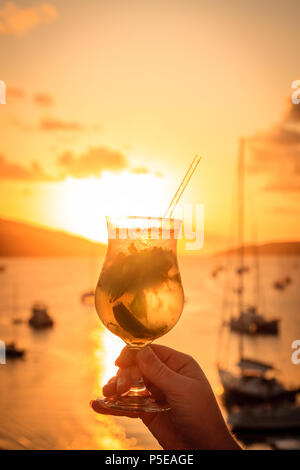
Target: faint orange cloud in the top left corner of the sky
{"points": [[16, 20]]}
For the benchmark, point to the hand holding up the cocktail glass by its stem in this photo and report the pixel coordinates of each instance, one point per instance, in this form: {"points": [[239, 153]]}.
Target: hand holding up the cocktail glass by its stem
{"points": [[195, 420]]}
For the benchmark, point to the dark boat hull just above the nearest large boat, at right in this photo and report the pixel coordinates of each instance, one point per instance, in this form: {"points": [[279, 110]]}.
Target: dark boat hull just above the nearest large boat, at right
{"points": [[250, 322]]}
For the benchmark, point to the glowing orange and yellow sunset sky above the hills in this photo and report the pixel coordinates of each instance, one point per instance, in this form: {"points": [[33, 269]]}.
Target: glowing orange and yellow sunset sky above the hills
{"points": [[108, 101]]}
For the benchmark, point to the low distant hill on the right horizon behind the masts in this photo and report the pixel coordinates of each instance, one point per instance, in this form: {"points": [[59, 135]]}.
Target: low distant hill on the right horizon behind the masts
{"points": [[275, 248]]}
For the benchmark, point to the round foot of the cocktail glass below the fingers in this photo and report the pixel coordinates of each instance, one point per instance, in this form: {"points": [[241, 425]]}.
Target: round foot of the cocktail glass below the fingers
{"points": [[137, 404]]}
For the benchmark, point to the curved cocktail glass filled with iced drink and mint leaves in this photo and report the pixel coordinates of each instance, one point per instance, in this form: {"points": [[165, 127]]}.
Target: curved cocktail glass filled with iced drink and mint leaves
{"points": [[139, 295]]}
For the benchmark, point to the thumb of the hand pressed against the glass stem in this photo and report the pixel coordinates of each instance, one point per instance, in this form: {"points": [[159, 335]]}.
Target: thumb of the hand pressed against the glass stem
{"points": [[157, 372]]}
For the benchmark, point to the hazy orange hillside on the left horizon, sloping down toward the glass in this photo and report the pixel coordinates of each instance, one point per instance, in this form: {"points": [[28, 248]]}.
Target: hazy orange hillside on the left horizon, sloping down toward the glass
{"points": [[20, 239]]}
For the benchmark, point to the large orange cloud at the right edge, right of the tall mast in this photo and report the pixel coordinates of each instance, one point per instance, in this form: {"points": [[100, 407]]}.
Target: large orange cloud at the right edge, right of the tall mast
{"points": [[276, 152]]}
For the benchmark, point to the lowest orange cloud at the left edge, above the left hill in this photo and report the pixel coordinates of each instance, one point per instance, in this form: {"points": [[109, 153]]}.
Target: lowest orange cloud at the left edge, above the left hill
{"points": [[15, 171]]}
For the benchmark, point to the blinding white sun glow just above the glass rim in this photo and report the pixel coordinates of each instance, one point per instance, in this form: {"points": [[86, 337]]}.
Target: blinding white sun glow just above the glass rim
{"points": [[83, 203]]}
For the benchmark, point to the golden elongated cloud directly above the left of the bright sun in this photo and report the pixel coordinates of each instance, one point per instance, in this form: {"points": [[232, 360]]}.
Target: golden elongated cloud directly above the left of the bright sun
{"points": [[92, 162]]}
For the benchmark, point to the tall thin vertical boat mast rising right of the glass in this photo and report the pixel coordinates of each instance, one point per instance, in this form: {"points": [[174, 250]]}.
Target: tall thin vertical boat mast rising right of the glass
{"points": [[241, 218]]}
